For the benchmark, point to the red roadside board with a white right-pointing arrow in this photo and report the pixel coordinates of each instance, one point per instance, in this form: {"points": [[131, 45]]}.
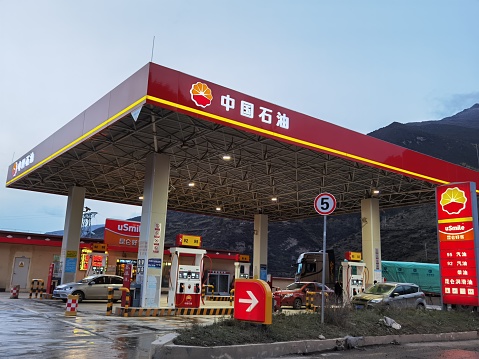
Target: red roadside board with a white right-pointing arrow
{"points": [[253, 301]]}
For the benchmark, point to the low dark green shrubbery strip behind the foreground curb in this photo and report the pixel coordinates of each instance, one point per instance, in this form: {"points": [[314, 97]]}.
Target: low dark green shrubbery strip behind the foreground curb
{"points": [[338, 323]]}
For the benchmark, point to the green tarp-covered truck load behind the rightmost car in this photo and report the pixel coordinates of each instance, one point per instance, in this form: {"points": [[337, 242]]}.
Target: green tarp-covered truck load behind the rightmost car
{"points": [[426, 275]]}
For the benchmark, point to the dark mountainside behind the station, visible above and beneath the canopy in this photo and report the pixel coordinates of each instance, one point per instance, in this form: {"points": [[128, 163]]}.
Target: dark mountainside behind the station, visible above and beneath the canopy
{"points": [[407, 234]]}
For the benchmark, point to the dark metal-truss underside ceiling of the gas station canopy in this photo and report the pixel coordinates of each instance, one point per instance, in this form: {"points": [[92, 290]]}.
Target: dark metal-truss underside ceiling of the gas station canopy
{"points": [[111, 166]]}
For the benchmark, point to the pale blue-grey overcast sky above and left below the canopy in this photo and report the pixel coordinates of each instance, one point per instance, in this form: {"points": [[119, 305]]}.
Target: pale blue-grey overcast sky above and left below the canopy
{"points": [[357, 64]]}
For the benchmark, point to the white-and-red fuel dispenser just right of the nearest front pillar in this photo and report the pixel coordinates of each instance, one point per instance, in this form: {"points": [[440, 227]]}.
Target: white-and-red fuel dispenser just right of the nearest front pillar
{"points": [[185, 279]]}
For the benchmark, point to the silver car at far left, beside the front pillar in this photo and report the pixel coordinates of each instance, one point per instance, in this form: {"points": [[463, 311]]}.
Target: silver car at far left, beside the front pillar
{"points": [[91, 287]]}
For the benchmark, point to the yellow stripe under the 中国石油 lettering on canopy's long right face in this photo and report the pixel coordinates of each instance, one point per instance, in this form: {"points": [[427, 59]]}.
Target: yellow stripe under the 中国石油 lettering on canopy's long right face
{"points": [[292, 139]]}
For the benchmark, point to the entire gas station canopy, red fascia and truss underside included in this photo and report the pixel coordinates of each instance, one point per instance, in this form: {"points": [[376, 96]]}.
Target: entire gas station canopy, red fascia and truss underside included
{"points": [[231, 155]]}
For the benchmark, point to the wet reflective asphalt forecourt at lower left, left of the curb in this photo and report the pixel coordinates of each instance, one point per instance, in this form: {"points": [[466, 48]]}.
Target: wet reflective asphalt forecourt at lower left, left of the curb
{"points": [[34, 328]]}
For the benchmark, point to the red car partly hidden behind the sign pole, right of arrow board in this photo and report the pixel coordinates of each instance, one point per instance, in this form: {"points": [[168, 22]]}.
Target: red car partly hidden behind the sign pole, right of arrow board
{"points": [[295, 294]]}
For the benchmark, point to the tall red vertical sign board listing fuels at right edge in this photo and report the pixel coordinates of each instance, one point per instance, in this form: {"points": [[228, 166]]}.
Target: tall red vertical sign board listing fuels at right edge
{"points": [[456, 206]]}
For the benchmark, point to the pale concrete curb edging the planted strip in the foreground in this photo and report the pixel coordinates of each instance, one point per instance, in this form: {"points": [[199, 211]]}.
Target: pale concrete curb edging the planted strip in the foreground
{"points": [[164, 348]]}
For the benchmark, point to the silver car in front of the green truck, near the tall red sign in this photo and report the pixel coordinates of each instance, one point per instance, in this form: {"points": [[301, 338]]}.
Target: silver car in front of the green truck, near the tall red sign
{"points": [[401, 295]]}
